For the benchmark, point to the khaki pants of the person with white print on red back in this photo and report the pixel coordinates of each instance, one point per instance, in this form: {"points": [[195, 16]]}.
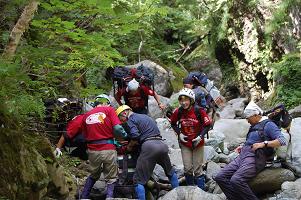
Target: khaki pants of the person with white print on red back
{"points": [[104, 161]]}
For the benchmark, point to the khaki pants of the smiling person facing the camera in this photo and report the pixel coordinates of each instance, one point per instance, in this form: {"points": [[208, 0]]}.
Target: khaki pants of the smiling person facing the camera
{"points": [[193, 160]]}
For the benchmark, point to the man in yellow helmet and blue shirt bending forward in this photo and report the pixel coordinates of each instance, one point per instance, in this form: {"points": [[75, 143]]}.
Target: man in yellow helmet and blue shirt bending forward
{"points": [[144, 132]]}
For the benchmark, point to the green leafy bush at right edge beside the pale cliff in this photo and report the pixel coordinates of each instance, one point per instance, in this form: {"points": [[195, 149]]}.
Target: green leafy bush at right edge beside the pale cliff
{"points": [[288, 82]]}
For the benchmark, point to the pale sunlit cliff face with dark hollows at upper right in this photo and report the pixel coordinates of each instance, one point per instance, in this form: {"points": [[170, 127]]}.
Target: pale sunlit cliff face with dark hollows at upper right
{"points": [[258, 35]]}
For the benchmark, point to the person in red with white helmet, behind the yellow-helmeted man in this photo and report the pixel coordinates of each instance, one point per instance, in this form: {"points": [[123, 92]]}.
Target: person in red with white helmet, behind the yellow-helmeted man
{"points": [[136, 97]]}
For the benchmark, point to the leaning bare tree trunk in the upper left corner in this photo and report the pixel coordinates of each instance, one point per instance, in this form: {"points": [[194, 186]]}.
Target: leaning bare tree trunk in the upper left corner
{"points": [[19, 28]]}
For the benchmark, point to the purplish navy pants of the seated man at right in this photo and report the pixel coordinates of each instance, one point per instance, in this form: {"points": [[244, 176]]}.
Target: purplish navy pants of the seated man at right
{"points": [[233, 179]]}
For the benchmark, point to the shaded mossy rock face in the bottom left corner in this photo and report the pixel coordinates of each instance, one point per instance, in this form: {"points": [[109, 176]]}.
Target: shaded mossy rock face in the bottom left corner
{"points": [[28, 167]]}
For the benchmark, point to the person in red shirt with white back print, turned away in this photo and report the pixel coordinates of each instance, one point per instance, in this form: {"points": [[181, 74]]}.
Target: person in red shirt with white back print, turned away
{"points": [[99, 127]]}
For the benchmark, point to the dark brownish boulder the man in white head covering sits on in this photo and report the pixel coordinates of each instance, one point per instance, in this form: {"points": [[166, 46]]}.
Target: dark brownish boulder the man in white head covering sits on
{"points": [[271, 177]]}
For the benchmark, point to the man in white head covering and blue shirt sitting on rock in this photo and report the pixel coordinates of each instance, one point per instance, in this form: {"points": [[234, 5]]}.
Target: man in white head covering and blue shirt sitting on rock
{"points": [[233, 179]]}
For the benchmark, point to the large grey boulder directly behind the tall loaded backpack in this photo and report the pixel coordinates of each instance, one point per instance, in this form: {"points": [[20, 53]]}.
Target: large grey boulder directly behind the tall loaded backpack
{"points": [[162, 79]]}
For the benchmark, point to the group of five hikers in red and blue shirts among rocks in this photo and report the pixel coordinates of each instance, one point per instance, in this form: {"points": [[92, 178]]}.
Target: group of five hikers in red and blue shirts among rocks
{"points": [[101, 125]]}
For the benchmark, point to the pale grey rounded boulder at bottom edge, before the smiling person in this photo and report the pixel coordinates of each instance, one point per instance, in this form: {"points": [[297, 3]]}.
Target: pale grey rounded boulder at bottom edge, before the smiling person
{"points": [[191, 193]]}
